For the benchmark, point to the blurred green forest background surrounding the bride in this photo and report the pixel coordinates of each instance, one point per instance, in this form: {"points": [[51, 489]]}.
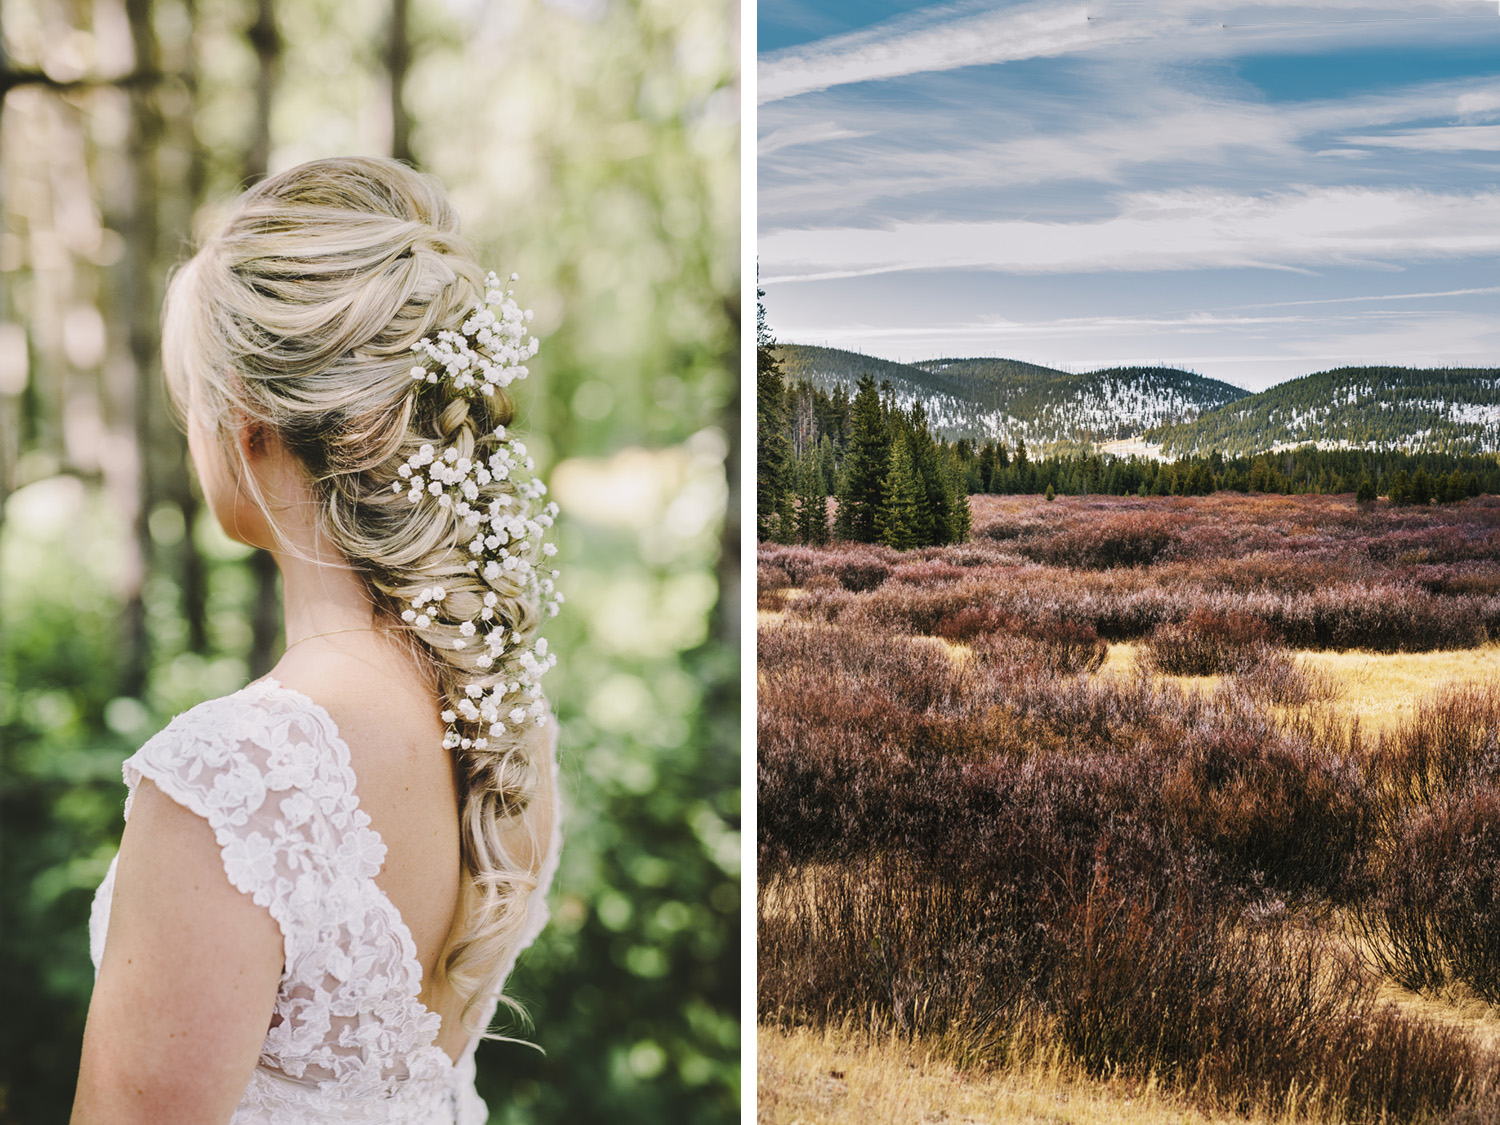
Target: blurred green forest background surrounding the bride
{"points": [[592, 146]]}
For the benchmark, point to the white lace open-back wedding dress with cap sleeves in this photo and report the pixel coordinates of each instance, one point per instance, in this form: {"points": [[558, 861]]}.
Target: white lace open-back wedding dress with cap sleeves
{"points": [[349, 1039]]}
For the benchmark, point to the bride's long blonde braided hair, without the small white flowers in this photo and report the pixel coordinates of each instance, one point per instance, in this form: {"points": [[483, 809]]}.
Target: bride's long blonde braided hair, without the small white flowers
{"points": [[301, 316]]}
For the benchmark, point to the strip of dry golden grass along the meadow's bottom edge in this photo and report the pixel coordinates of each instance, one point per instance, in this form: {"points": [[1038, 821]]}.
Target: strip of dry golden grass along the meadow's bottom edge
{"points": [[839, 1078]]}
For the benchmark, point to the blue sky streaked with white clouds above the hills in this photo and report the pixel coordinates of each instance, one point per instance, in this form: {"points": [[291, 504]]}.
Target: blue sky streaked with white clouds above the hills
{"points": [[1252, 191]]}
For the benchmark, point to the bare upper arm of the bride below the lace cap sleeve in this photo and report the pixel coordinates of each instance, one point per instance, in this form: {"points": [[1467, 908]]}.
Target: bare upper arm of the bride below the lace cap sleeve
{"points": [[188, 982]]}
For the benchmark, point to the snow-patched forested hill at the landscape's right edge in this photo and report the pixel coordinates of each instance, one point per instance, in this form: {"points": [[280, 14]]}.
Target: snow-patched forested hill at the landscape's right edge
{"points": [[1444, 410]]}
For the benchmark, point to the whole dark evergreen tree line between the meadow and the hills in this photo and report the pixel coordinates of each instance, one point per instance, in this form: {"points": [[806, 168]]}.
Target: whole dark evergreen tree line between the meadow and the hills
{"points": [[899, 485]]}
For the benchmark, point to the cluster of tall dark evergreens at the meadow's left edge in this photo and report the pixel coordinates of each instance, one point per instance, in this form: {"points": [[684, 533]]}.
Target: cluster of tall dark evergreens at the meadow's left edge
{"points": [[895, 482]]}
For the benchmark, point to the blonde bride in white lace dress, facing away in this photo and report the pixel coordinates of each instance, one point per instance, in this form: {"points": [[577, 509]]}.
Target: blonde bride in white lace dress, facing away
{"points": [[326, 877]]}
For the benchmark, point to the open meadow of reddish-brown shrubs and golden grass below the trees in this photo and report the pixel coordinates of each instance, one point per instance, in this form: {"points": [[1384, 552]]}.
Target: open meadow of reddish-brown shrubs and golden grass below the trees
{"points": [[1160, 809]]}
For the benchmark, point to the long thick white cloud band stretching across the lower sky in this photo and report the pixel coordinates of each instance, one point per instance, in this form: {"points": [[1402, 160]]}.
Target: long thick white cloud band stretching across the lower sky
{"points": [[1183, 230]]}
